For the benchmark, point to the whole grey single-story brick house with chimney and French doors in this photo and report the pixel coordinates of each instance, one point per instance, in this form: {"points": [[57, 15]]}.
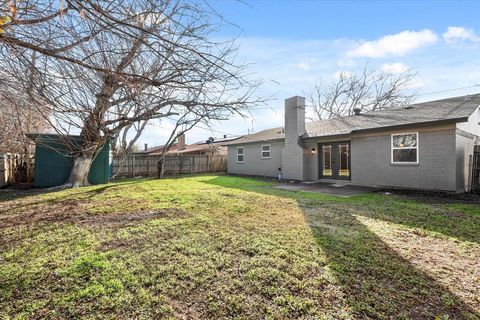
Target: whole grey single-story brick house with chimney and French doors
{"points": [[426, 145]]}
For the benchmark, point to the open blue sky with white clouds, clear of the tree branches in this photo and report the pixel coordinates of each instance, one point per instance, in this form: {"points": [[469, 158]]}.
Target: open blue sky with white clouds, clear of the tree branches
{"points": [[294, 44]]}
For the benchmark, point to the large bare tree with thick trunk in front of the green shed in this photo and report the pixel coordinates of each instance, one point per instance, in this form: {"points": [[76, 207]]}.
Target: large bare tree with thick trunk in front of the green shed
{"points": [[105, 66]]}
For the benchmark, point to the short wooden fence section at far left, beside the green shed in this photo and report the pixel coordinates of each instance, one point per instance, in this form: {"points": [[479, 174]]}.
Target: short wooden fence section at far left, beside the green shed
{"points": [[16, 168]]}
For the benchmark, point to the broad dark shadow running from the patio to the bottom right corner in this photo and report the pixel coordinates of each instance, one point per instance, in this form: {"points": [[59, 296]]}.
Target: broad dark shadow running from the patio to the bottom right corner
{"points": [[378, 282]]}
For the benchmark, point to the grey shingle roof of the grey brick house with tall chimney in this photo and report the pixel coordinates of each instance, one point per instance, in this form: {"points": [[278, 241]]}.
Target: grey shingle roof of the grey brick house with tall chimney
{"points": [[456, 109]]}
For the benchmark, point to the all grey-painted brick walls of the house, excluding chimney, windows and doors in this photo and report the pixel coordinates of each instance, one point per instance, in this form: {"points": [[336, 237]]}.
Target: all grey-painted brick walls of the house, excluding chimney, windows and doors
{"points": [[443, 164]]}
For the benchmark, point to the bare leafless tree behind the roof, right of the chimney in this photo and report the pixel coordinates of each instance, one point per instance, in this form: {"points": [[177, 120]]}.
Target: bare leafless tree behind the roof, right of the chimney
{"points": [[367, 90]]}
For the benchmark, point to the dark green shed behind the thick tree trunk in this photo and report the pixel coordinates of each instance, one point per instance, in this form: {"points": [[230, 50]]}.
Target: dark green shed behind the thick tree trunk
{"points": [[53, 162]]}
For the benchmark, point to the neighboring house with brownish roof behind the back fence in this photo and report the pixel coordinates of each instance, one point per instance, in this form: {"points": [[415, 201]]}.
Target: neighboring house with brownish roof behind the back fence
{"points": [[211, 146]]}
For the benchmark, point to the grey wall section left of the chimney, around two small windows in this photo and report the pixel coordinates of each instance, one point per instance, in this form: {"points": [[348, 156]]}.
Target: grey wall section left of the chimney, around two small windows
{"points": [[253, 163]]}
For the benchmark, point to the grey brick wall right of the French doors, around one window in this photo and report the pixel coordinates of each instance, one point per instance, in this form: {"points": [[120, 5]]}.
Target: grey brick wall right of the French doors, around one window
{"points": [[436, 170]]}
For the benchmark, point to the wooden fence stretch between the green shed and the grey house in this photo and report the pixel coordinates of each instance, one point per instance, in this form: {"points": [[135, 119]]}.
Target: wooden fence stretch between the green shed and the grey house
{"points": [[147, 165]]}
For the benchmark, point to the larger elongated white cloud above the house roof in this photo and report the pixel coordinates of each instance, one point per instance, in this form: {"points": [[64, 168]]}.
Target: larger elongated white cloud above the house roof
{"points": [[394, 44]]}
